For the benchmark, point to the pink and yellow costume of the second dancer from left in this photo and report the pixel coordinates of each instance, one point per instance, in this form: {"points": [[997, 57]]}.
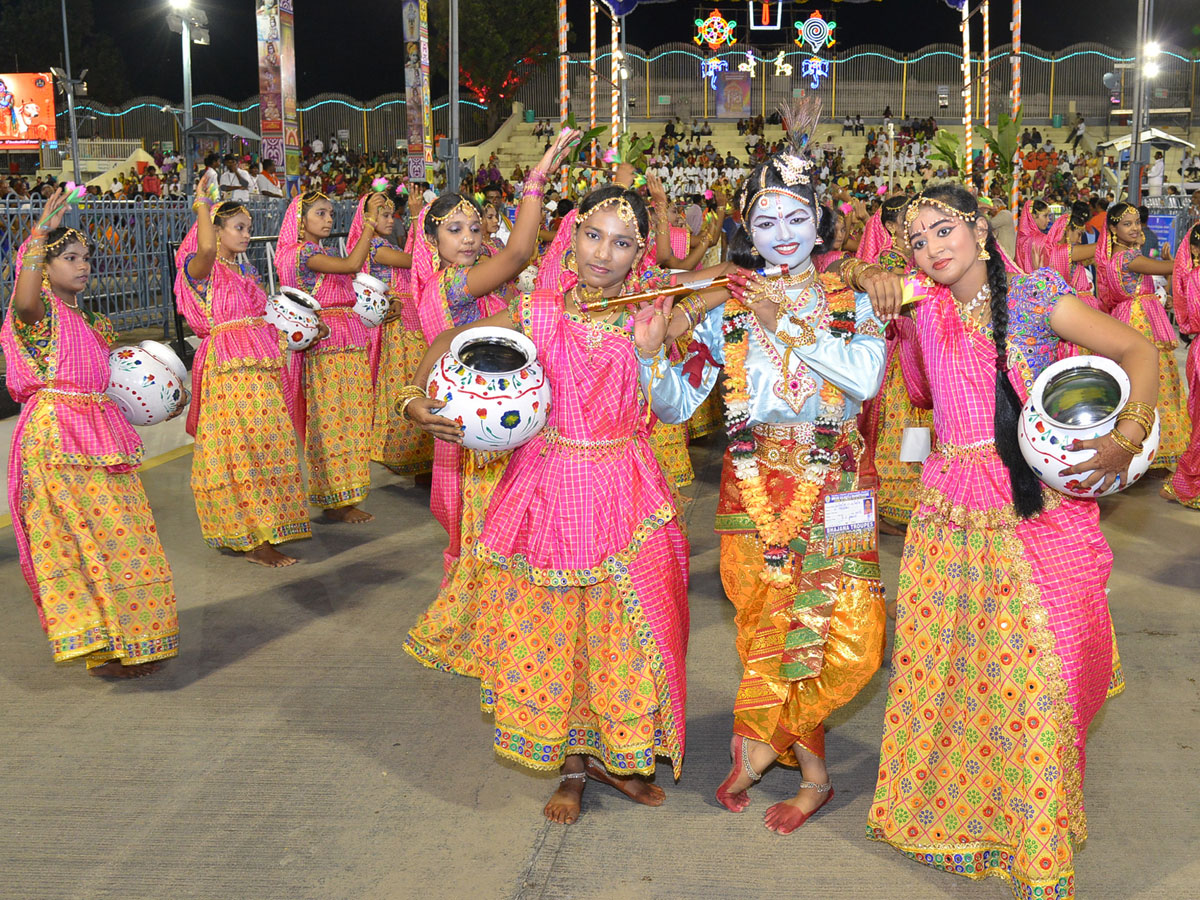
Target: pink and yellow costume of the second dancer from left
{"points": [[245, 466]]}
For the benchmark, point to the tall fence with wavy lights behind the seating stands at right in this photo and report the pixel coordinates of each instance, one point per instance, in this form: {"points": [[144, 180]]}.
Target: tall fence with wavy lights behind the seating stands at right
{"points": [[867, 79]]}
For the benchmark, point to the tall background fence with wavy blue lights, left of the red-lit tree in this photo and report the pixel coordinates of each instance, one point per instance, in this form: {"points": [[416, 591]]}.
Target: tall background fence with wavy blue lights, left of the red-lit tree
{"points": [[375, 125]]}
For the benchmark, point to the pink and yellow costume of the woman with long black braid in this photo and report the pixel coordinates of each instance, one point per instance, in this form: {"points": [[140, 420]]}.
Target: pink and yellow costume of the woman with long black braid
{"points": [[1004, 645]]}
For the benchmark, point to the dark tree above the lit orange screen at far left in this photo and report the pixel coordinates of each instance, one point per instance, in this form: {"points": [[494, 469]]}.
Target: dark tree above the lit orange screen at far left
{"points": [[32, 41]]}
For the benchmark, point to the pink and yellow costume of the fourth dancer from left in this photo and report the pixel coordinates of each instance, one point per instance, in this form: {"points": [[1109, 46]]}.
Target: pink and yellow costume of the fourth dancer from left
{"points": [[397, 351]]}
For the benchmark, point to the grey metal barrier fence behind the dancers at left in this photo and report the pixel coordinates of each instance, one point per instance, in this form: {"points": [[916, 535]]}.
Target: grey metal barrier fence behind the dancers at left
{"points": [[133, 265]]}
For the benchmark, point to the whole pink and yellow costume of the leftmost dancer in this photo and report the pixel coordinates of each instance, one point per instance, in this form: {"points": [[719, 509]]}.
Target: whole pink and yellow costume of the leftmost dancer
{"points": [[87, 538]]}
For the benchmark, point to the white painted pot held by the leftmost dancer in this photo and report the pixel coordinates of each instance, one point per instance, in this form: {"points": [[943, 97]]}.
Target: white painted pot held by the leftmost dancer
{"points": [[148, 382]]}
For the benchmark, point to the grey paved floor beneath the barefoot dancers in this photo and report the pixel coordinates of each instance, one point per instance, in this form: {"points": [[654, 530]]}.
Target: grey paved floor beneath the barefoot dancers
{"points": [[293, 752]]}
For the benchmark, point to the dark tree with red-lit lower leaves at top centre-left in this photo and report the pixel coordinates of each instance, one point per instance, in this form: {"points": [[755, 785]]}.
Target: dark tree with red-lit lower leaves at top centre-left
{"points": [[500, 49]]}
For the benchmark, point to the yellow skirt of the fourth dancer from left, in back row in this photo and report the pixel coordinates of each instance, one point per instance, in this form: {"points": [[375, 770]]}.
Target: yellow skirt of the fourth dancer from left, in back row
{"points": [[397, 442]]}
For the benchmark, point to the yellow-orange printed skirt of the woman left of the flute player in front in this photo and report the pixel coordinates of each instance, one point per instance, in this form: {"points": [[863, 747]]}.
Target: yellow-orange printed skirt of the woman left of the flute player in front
{"points": [[572, 668]]}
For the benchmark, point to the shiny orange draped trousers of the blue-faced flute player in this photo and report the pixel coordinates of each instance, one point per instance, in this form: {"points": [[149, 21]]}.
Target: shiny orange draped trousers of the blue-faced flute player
{"points": [[785, 712]]}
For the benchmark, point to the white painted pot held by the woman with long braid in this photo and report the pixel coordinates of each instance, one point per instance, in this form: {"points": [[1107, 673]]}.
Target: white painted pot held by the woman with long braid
{"points": [[1077, 399]]}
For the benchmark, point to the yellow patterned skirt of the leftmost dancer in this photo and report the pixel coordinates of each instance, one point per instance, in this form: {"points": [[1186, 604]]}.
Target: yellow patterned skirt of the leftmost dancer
{"points": [[105, 586]]}
